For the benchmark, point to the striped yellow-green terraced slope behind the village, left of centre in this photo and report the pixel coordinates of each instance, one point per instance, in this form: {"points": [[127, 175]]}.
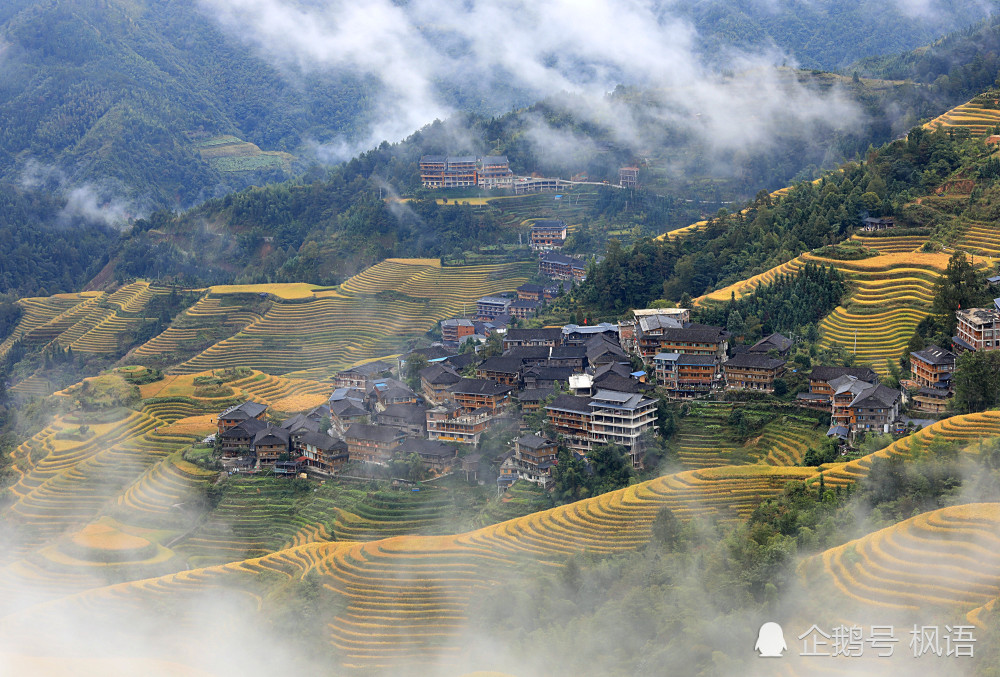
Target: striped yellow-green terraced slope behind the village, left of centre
{"points": [[335, 330]]}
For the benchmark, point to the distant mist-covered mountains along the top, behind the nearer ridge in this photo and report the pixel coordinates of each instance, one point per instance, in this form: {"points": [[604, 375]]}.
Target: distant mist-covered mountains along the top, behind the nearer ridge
{"points": [[152, 104]]}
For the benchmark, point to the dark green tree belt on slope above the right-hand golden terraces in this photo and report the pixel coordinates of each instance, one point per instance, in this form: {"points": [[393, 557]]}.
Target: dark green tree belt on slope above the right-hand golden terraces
{"points": [[735, 246]]}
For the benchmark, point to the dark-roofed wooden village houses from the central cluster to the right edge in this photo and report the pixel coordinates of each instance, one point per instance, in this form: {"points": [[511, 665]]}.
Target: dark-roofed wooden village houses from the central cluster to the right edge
{"points": [[583, 379]]}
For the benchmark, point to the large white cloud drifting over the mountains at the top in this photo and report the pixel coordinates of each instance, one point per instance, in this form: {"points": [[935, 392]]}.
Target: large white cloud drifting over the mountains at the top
{"points": [[420, 49]]}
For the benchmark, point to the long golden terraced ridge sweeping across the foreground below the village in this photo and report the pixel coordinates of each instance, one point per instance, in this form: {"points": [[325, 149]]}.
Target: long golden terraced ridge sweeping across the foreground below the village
{"points": [[406, 598]]}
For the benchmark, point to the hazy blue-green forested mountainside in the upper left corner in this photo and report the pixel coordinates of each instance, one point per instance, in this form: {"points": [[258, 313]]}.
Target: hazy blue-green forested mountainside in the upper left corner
{"points": [[114, 92]]}
